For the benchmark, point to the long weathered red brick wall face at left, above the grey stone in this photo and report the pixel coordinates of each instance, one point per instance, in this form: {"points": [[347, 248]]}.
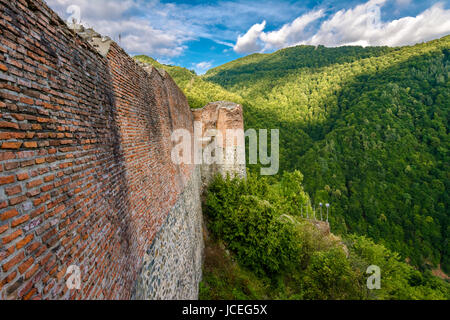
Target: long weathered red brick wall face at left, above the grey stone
{"points": [[85, 171]]}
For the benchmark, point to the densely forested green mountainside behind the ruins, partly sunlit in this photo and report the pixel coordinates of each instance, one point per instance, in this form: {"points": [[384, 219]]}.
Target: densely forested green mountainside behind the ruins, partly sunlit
{"points": [[366, 127]]}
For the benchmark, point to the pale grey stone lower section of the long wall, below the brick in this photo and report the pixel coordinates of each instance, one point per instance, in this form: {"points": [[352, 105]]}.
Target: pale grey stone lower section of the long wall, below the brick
{"points": [[172, 265]]}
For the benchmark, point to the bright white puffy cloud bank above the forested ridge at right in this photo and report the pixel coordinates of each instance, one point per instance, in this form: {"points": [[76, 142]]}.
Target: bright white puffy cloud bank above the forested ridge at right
{"points": [[361, 25]]}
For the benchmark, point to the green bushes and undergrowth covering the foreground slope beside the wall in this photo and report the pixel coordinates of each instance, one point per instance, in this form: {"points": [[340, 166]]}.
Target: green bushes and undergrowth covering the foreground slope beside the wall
{"points": [[281, 256]]}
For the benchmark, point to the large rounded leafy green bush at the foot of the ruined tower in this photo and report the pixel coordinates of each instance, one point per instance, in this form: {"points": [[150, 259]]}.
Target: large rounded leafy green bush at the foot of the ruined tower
{"points": [[251, 226]]}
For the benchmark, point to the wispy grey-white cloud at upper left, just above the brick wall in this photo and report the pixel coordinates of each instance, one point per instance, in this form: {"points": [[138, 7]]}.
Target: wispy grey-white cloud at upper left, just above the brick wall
{"points": [[128, 20]]}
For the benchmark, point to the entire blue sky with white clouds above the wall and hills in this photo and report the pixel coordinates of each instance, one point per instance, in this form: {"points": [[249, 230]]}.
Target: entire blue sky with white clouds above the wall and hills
{"points": [[203, 34]]}
